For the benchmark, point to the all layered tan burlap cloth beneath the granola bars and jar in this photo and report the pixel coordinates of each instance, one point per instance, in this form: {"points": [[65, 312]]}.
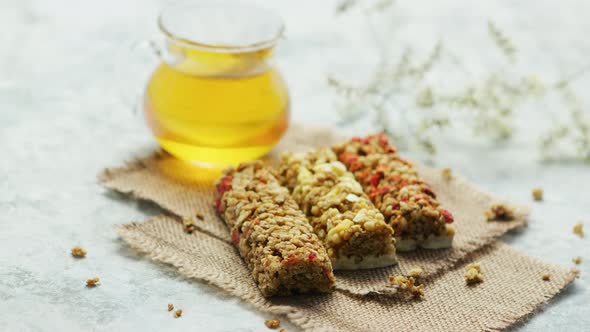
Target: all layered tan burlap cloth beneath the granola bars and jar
{"points": [[513, 286]]}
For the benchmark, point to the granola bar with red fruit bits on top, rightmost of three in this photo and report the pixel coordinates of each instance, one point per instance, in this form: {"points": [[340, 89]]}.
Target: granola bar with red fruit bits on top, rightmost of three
{"points": [[396, 189]]}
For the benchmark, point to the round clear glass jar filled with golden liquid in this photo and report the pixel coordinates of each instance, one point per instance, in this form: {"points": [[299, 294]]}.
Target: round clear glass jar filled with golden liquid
{"points": [[216, 98]]}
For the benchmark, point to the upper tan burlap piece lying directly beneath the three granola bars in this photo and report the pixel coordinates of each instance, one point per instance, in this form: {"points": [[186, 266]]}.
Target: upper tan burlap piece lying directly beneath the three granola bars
{"points": [[150, 179]]}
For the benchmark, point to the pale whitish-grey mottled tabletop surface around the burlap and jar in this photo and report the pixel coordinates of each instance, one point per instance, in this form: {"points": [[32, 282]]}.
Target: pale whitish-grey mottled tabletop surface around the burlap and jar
{"points": [[67, 75]]}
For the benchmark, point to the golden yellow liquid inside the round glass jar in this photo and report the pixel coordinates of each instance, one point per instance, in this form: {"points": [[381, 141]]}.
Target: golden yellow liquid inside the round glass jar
{"points": [[217, 109]]}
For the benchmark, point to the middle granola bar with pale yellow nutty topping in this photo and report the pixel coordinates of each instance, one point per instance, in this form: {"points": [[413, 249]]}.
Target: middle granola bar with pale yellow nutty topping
{"points": [[353, 231]]}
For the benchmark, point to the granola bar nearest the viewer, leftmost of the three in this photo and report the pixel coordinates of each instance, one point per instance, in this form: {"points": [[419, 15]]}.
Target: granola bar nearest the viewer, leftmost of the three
{"points": [[271, 233]]}
